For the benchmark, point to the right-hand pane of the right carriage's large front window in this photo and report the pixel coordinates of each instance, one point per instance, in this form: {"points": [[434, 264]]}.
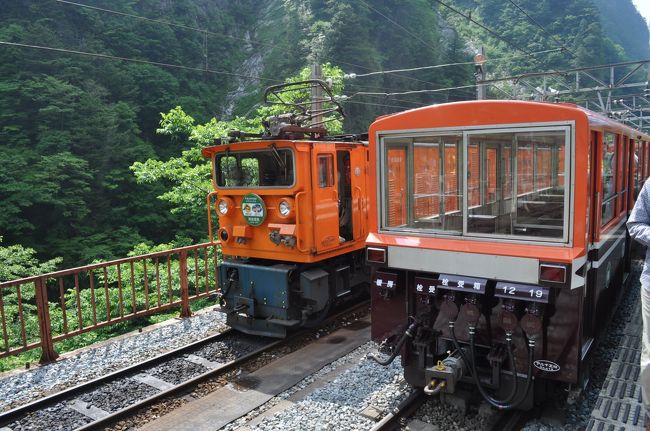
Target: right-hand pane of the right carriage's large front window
{"points": [[537, 208]]}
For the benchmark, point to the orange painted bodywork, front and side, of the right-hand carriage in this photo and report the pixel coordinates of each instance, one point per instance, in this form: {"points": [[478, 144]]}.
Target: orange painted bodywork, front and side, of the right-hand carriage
{"points": [[489, 113]]}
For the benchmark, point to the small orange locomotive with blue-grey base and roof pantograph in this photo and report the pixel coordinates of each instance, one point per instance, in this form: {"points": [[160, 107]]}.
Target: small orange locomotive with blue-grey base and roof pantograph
{"points": [[292, 217]]}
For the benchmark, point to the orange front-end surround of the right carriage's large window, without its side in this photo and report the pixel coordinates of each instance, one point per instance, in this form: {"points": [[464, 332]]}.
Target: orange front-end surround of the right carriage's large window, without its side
{"points": [[468, 114]]}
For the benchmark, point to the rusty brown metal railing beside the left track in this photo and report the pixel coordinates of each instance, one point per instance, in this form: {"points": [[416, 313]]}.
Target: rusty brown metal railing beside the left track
{"points": [[45, 309]]}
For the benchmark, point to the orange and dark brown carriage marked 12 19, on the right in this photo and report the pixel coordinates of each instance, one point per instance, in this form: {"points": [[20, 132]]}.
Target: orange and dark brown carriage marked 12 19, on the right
{"points": [[498, 241]]}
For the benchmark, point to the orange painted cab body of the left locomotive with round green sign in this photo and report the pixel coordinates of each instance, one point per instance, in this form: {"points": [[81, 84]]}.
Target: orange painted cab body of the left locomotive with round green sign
{"points": [[314, 217]]}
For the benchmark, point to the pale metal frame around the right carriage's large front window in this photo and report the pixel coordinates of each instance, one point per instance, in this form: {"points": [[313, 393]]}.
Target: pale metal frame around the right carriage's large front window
{"points": [[568, 127]]}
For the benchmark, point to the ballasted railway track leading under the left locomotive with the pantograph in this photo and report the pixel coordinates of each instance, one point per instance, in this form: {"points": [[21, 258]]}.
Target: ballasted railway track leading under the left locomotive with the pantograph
{"points": [[103, 401]]}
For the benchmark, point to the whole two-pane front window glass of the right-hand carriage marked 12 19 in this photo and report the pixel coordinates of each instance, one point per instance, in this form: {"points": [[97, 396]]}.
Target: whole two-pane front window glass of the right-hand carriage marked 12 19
{"points": [[512, 183]]}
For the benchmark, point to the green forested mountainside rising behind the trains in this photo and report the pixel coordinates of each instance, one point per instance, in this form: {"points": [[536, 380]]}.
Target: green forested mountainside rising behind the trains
{"points": [[104, 105]]}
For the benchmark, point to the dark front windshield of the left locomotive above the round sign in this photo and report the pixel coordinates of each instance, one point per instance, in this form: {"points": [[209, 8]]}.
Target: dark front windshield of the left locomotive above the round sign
{"points": [[270, 167]]}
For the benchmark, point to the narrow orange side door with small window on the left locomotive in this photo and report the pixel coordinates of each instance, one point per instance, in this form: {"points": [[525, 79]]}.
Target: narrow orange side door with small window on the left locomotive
{"points": [[325, 197]]}
